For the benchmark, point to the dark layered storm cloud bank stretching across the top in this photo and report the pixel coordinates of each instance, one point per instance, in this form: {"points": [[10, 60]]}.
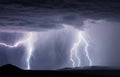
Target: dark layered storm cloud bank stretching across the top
{"points": [[51, 14]]}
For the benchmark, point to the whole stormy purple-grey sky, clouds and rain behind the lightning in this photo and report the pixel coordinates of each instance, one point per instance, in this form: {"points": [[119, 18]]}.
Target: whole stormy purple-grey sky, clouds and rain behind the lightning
{"points": [[52, 41]]}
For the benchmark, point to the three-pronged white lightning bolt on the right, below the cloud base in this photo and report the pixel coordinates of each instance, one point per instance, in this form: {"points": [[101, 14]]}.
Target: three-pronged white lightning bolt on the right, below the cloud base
{"points": [[74, 50]]}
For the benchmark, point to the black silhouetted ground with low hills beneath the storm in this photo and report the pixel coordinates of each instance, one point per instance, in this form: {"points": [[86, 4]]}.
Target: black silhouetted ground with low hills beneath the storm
{"points": [[81, 72]]}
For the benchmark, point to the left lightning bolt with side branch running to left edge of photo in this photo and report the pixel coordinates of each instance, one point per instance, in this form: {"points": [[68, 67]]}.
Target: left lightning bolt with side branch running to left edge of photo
{"points": [[28, 42]]}
